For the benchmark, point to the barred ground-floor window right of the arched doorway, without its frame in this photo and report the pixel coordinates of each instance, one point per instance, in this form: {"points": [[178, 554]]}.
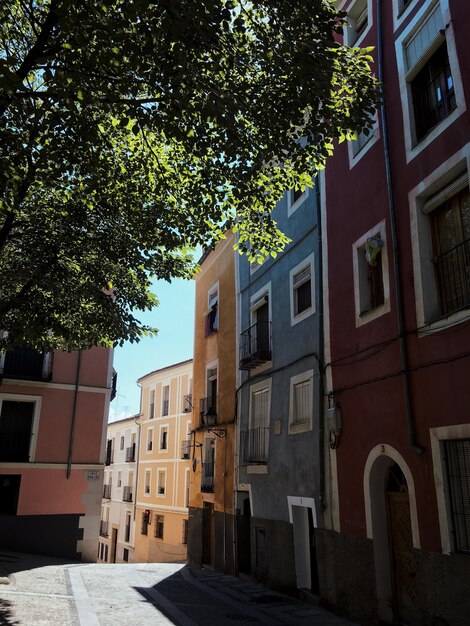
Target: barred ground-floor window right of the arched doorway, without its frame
{"points": [[457, 454]]}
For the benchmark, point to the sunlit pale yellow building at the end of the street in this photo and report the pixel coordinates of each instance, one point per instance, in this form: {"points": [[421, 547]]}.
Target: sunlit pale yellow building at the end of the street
{"points": [[164, 464]]}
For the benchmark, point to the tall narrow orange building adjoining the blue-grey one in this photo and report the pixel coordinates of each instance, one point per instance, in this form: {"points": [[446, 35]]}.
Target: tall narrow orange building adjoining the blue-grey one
{"points": [[211, 523]]}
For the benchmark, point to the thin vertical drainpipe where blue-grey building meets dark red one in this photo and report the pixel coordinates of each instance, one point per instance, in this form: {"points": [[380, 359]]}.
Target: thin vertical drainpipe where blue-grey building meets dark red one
{"points": [[321, 355]]}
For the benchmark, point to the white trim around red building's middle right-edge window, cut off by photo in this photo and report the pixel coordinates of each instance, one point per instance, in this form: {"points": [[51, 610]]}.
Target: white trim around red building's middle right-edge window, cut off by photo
{"points": [[424, 279]]}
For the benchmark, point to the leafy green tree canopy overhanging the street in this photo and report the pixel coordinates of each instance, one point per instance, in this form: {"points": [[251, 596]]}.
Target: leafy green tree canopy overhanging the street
{"points": [[131, 131]]}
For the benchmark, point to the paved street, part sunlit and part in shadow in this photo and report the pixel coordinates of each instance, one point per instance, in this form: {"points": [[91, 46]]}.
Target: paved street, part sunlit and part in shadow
{"points": [[40, 591]]}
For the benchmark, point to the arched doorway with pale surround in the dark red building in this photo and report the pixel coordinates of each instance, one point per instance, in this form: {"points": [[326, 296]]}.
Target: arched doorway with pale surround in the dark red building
{"points": [[392, 524]]}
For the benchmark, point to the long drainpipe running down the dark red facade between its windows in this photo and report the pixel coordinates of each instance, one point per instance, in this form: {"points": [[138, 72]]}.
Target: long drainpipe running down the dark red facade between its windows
{"points": [[395, 253]]}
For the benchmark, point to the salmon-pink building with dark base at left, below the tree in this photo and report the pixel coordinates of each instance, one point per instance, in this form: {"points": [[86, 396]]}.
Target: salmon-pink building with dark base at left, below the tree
{"points": [[53, 418]]}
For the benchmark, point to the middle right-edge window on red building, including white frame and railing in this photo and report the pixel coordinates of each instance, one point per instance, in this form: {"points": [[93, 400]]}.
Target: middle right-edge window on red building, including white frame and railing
{"points": [[441, 231]]}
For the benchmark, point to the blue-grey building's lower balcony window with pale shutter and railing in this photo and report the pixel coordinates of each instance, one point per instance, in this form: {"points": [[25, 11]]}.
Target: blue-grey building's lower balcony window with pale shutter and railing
{"points": [[254, 441]]}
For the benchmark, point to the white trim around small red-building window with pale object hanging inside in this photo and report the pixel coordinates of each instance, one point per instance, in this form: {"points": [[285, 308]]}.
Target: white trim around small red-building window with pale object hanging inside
{"points": [[367, 316]]}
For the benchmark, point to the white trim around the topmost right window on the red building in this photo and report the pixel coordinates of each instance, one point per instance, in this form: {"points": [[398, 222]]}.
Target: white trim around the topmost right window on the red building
{"points": [[412, 147]]}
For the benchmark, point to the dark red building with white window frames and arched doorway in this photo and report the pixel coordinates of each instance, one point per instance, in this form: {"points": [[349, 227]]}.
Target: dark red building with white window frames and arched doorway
{"points": [[396, 209]]}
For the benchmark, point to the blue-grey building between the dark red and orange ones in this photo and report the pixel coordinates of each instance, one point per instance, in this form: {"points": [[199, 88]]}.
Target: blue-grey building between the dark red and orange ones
{"points": [[279, 458]]}
